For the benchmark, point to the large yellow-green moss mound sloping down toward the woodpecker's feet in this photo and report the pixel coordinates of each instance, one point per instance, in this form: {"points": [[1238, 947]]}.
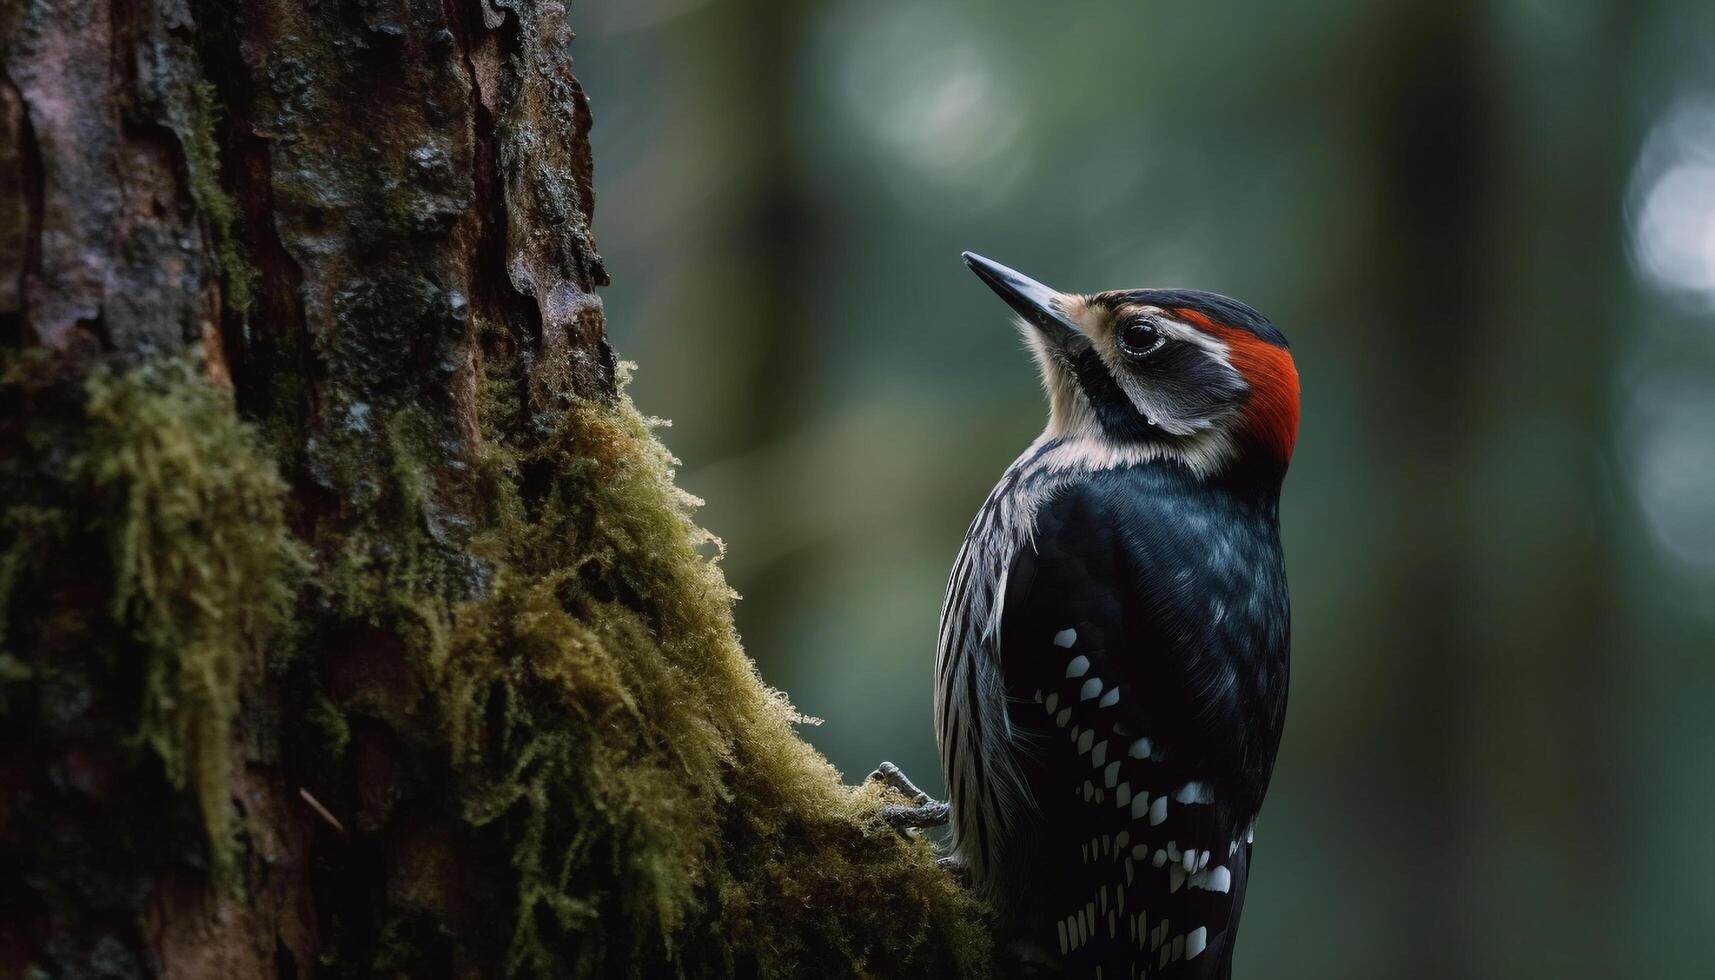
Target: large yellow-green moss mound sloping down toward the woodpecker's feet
{"points": [[661, 801]]}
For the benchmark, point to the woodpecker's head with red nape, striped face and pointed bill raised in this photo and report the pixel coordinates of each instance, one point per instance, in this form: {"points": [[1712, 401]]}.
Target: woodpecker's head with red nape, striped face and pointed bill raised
{"points": [[1158, 375]]}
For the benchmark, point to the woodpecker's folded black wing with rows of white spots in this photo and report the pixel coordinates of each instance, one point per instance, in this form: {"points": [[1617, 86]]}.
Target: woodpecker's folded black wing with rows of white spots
{"points": [[1119, 730]]}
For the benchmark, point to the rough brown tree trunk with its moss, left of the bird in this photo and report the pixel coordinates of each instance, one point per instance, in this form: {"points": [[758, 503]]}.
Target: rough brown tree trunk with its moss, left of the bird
{"points": [[352, 624]]}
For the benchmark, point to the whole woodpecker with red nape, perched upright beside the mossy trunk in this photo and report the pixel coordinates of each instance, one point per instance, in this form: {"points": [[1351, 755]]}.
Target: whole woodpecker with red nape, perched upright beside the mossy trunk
{"points": [[1110, 677]]}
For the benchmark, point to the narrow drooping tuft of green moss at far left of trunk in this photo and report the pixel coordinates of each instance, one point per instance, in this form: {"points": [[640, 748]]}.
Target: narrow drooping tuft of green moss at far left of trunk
{"points": [[202, 562]]}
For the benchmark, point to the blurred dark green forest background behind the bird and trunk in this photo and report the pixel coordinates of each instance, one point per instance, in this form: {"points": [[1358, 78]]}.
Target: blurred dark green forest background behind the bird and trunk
{"points": [[1489, 233]]}
